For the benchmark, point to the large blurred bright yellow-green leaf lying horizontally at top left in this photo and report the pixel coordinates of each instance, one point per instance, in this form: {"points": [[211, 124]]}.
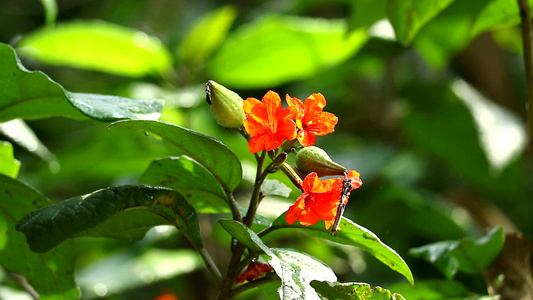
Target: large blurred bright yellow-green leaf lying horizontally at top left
{"points": [[97, 45]]}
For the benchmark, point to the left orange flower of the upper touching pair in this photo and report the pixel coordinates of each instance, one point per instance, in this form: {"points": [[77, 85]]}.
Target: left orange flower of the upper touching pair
{"points": [[268, 123]]}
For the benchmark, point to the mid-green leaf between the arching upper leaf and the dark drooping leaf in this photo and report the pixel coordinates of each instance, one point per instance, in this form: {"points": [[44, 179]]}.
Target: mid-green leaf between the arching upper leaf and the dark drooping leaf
{"points": [[190, 179]]}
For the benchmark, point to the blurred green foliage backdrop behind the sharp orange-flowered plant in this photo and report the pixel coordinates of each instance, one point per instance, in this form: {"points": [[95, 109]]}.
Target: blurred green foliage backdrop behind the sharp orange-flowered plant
{"points": [[435, 123]]}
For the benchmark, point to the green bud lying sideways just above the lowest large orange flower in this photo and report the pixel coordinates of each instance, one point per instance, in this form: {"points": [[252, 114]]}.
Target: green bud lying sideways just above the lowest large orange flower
{"points": [[313, 159]]}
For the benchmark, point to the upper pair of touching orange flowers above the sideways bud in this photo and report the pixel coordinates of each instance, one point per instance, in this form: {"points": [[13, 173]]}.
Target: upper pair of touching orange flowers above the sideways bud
{"points": [[269, 124]]}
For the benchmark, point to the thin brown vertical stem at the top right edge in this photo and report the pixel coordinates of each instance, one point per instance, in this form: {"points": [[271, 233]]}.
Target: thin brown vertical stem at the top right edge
{"points": [[527, 42]]}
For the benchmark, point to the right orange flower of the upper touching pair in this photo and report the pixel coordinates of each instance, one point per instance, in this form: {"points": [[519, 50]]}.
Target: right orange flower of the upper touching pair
{"points": [[310, 119]]}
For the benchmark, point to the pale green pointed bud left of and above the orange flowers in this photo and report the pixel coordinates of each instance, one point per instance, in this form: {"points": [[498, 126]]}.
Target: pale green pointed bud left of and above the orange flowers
{"points": [[226, 105]]}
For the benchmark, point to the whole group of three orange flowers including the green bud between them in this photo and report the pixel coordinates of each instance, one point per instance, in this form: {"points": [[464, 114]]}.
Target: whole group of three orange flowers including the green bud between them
{"points": [[269, 125]]}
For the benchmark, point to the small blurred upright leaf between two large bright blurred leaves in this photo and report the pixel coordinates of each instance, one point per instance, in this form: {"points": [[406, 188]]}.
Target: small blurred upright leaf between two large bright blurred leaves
{"points": [[206, 34]]}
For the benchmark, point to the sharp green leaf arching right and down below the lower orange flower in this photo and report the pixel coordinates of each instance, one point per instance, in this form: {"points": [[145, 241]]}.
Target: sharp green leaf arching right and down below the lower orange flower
{"points": [[354, 235]]}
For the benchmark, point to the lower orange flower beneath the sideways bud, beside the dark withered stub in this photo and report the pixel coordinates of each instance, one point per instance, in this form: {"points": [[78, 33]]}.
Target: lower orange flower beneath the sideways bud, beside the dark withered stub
{"points": [[319, 200]]}
